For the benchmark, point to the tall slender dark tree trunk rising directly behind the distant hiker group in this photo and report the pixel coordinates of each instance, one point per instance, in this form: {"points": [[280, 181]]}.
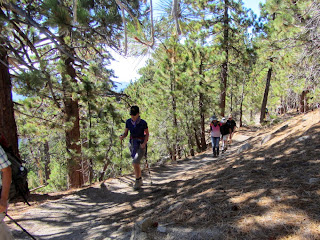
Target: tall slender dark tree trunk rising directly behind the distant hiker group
{"points": [[224, 73]]}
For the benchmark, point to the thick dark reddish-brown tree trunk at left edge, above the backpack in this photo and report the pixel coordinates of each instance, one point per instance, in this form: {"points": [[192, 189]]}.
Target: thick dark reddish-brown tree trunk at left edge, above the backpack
{"points": [[8, 125]]}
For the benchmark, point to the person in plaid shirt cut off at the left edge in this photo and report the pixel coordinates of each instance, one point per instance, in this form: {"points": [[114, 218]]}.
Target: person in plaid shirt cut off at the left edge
{"points": [[5, 183]]}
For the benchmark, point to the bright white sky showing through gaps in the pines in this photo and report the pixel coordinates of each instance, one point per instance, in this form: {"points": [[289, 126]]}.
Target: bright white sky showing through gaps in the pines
{"points": [[126, 68]]}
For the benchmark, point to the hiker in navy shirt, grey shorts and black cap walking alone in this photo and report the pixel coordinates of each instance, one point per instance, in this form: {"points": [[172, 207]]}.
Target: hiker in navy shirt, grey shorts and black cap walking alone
{"points": [[139, 135]]}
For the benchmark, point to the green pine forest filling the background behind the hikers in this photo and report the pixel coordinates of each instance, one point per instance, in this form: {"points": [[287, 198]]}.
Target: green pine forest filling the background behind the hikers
{"points": [[206, 58]]}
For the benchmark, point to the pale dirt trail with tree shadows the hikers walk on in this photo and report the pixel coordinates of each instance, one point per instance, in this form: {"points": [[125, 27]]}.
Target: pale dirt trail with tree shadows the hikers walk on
{"points": [[97, 212]]}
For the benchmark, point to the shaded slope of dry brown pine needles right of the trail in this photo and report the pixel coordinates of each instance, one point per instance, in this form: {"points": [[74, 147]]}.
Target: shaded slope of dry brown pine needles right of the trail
{"points": [[263, 193]]}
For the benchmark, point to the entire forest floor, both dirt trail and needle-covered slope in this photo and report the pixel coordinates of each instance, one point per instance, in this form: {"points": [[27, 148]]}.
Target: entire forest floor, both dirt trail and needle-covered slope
{"points": [[266, 186]]}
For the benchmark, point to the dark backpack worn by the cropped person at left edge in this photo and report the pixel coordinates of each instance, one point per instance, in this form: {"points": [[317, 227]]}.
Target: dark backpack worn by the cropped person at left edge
{"points": [[19, 183]]}
